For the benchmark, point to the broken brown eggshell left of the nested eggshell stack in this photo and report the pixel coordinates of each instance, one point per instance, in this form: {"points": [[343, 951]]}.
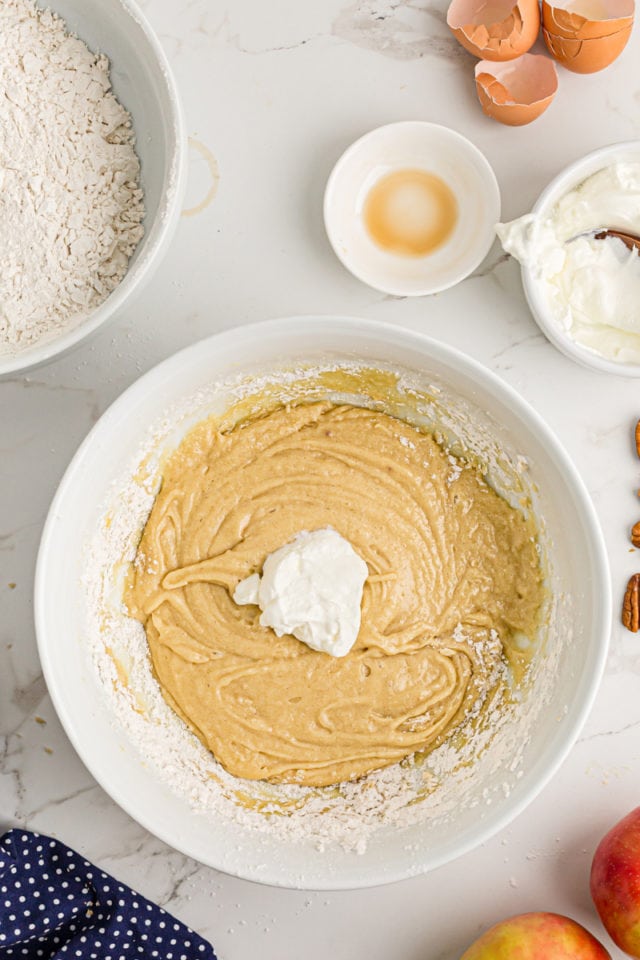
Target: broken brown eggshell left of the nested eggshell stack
{"points": [[500, 31]]}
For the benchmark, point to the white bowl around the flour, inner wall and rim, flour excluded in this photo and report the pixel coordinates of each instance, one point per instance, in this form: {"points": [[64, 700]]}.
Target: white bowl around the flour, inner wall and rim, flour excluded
{"points": [[142, 81]]}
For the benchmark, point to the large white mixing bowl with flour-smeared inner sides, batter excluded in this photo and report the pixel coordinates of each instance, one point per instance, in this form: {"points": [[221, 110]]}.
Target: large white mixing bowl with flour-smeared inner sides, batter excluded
{"points": [[96, 660]]}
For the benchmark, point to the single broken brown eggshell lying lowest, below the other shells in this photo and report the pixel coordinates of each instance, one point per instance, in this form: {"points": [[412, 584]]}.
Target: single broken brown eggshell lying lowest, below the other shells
{"points": [[516, 92]]}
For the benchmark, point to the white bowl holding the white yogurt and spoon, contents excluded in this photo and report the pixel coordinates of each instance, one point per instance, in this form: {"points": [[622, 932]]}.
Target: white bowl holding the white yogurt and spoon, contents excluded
{"points": [[569, 178]]}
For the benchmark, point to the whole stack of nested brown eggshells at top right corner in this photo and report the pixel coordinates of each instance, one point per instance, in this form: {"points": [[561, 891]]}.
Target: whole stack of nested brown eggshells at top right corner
{"points": [[588, 36]]}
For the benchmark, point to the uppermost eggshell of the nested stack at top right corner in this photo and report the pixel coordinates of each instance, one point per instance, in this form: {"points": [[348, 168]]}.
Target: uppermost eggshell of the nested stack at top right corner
{"points": [[581, 22]]}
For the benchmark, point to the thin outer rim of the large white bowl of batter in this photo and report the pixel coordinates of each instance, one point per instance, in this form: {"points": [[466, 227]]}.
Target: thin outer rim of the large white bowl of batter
{"points": [[457, 359]]}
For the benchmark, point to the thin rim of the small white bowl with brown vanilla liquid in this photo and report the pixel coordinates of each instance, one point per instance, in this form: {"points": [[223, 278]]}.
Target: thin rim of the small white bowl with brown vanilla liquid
{"points": [[345, 157]]}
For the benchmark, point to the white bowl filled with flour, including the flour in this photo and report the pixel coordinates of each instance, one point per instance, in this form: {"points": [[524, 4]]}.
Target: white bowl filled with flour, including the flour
{"points": [[92, 169]]}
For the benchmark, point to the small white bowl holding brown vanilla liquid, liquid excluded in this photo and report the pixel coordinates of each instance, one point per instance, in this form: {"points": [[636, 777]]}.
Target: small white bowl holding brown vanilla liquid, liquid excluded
{"points": [[412, 144]]}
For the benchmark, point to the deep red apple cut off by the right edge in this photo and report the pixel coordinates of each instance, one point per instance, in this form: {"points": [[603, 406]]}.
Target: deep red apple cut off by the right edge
{"points": [[615, 883]]}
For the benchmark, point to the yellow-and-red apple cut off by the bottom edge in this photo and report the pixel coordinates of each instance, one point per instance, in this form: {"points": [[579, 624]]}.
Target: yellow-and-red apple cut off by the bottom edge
{"points": [[536, 936]]}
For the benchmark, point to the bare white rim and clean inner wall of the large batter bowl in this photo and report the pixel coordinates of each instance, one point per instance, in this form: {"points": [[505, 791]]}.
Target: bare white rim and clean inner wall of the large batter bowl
{"points": [[575, 646]]}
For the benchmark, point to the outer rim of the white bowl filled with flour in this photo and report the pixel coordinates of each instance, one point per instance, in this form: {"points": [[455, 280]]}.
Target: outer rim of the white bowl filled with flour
{"points": [[168, 213]]}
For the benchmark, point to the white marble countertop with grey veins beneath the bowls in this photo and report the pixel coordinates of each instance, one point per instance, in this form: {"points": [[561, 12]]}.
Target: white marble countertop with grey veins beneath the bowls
{"points": [[276, 91]]}
